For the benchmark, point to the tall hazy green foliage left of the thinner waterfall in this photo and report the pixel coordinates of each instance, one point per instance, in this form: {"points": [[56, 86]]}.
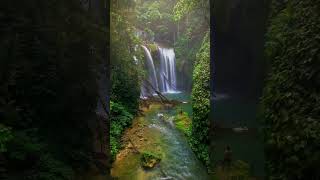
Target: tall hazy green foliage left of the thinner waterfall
{"points": [[125, 73]]}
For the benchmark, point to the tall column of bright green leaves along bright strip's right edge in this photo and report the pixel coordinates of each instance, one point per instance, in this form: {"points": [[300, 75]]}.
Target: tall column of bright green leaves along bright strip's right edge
{"points": [[201, 102]]}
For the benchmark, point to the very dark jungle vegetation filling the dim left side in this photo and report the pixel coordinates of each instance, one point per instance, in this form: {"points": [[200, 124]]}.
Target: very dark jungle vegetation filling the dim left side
{"points": [[49, 59]]}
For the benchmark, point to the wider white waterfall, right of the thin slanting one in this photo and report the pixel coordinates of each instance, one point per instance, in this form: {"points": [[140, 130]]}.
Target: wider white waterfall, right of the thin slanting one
{"points": [[167, 71]]}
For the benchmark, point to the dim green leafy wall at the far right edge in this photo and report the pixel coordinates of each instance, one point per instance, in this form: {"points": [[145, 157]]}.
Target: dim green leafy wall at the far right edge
{"points": [[291, 97]]}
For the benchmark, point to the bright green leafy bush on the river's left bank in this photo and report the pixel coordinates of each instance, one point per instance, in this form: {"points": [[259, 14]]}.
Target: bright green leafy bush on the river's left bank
{"points": [[120, 119]]}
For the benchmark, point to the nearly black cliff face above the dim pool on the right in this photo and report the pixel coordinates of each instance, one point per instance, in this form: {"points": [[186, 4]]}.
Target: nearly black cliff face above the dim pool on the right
{"points": [[239, 40]]}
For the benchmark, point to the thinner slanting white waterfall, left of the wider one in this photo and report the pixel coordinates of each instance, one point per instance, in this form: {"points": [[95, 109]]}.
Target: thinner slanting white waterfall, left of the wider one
{"points": [[152, 76]]}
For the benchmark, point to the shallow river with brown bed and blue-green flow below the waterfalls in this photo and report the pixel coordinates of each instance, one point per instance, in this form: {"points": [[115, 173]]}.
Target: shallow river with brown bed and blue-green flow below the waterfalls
{"points": [[150, 133]]}
